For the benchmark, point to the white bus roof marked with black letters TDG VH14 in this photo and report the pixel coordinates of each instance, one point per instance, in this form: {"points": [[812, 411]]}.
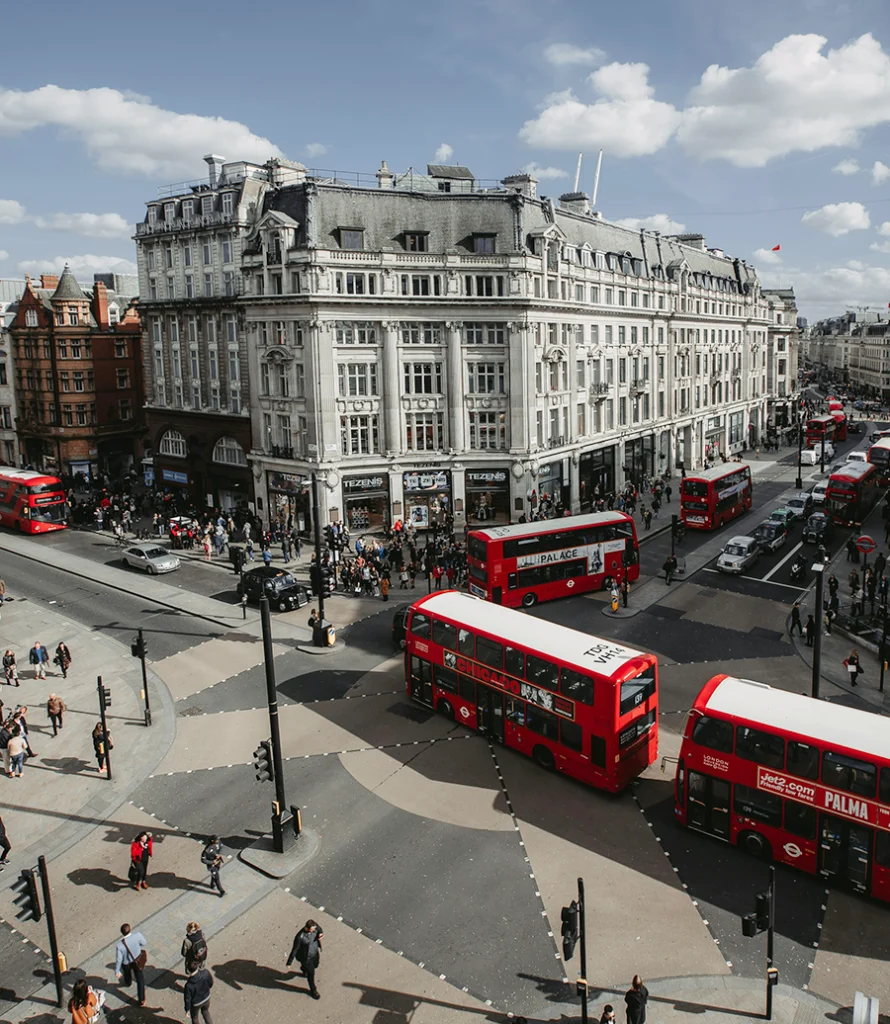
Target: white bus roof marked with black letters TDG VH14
{"points": [[581, 650]]}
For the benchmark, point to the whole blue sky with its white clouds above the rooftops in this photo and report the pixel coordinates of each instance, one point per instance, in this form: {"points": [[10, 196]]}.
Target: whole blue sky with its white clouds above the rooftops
{"points": [[759, 125]]}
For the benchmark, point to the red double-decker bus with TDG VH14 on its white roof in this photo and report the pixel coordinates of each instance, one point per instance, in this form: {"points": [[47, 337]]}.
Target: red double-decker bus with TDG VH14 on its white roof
{"points": [[576, 704]]}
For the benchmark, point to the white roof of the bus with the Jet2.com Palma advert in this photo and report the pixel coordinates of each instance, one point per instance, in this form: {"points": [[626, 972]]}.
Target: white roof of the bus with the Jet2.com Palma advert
{"points": [[821, 720]]}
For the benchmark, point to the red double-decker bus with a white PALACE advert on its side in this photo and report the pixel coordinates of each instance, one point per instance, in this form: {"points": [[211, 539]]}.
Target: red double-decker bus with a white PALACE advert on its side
{"points": [[539, 562]]}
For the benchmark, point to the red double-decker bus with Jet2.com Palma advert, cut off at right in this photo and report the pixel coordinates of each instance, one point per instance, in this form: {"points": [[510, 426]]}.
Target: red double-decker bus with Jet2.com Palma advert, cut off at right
{"points": [[802, 782]]}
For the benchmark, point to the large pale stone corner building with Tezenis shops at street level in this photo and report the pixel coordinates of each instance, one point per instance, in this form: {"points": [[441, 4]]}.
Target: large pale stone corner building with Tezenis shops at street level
{"points": [[427, 345]]}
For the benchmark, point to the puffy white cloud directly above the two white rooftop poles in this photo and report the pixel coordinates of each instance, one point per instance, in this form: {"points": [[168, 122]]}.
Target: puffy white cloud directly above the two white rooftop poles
{"points": [[625, 122]]}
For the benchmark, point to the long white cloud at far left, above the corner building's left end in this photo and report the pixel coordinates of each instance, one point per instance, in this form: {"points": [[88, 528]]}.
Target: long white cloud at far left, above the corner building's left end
{"points": [[128, 133]]}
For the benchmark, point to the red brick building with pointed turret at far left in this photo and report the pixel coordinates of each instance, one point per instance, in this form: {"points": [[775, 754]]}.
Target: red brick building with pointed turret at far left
{"points": [[78, 379]]}
